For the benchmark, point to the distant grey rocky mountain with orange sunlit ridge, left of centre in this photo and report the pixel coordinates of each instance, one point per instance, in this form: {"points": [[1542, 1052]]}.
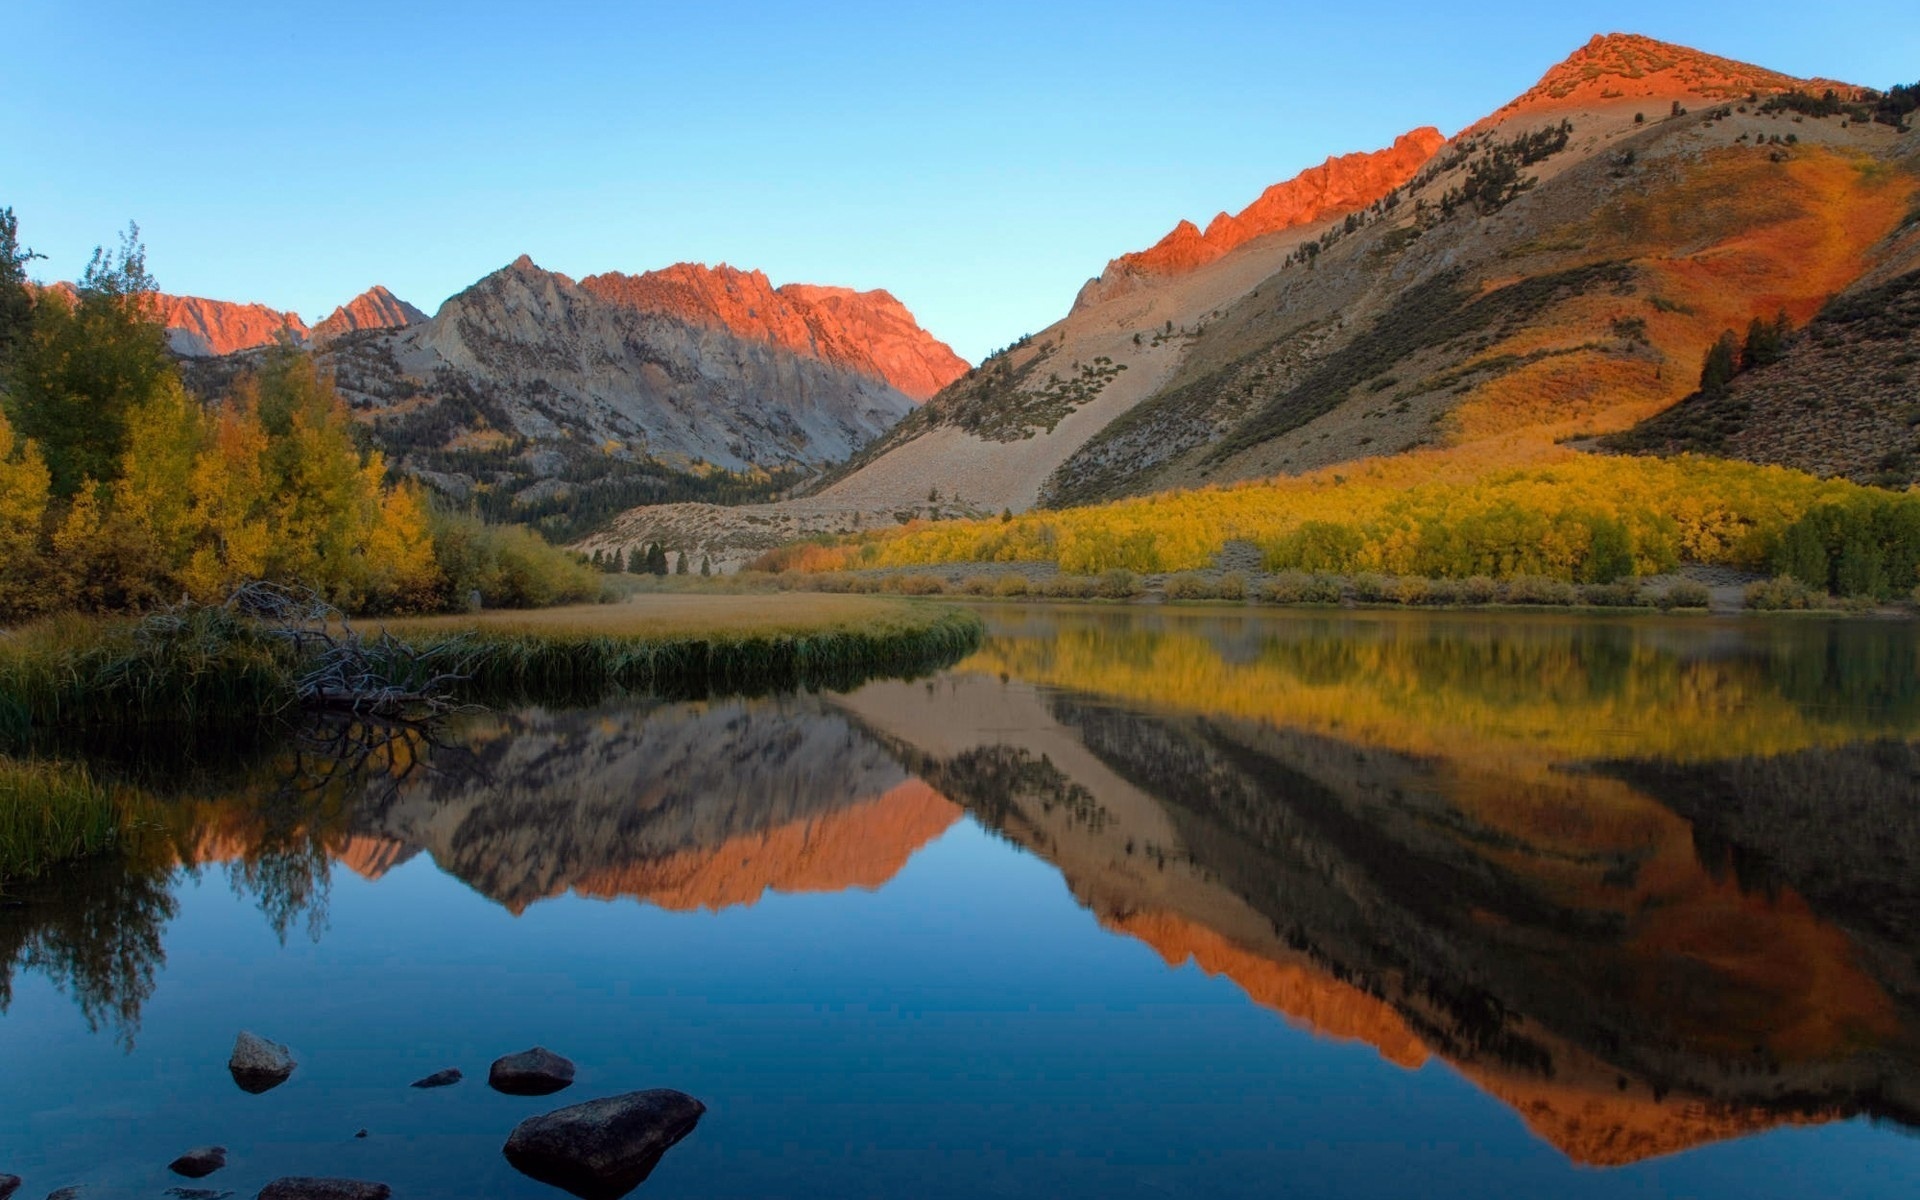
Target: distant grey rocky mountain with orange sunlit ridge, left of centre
{"points": [[560, 404]]}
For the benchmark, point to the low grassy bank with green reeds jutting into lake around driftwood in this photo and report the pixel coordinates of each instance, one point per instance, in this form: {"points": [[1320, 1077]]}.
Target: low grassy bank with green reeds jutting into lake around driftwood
{"points": [[208, 667]]}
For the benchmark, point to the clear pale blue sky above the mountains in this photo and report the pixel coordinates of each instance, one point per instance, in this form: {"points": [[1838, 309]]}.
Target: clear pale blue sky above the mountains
{"points": [[976, 160]]}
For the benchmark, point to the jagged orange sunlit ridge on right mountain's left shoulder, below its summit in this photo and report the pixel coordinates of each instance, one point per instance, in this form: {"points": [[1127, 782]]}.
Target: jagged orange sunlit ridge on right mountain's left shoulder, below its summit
{"points": [[1337, 187]]}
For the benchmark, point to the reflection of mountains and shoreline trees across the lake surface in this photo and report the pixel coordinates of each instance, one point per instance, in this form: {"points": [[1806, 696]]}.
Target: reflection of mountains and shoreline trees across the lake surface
{"points": [[1648, 884]]}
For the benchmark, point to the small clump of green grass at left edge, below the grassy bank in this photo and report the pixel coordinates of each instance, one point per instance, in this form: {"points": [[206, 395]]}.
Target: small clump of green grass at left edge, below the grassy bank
{"points": [[53, 813]]}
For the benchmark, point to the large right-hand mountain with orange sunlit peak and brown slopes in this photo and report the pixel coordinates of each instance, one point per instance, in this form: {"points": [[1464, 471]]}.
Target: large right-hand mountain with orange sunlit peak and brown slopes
{"points": [[1548, 276]]}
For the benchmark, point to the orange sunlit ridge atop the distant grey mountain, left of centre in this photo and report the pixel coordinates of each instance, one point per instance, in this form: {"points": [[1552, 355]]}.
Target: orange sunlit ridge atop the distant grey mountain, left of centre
{"points": [[867, 333]]}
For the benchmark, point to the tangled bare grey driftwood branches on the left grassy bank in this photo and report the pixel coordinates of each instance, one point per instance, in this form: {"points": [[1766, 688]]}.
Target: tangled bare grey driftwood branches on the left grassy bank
{"points": [[348, 671]]}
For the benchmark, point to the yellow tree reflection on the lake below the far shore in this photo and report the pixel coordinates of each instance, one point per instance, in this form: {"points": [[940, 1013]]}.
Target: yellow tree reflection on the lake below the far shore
{"points": [[1449, 692]]}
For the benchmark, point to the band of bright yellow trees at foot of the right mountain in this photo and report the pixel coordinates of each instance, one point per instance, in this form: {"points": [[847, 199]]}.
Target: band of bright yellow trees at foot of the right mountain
{"points": [[1464, 521]]}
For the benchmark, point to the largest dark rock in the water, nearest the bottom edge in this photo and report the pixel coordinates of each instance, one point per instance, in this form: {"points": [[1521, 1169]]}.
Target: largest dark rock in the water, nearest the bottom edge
{"points": [[604, 1149]]}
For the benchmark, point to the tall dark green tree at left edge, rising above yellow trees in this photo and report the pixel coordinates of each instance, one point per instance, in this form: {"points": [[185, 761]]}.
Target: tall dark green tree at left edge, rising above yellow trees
{"points": [[87, 364]]}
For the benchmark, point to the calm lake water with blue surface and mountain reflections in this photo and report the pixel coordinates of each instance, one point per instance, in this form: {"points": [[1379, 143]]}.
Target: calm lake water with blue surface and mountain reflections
{"points": [[1132, 903]]}
